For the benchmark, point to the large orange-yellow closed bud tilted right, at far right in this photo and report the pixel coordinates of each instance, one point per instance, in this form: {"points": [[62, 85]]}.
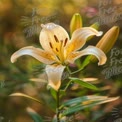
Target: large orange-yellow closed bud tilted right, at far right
{"points": [[109, 39]]}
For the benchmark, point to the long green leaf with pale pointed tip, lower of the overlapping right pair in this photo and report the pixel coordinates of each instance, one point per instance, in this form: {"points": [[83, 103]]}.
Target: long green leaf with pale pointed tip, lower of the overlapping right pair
{"points": [[87, 104]]}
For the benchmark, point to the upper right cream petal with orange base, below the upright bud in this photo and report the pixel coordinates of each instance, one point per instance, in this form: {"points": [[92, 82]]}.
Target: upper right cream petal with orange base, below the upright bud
{"points": [[80, 37]]}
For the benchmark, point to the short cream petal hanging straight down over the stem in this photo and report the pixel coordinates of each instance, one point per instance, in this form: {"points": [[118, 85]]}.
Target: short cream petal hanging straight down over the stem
{"points": [[54, 73]]}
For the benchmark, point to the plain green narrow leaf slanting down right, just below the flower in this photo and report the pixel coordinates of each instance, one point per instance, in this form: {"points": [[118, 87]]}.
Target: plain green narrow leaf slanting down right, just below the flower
{"points": [[83, 83]]}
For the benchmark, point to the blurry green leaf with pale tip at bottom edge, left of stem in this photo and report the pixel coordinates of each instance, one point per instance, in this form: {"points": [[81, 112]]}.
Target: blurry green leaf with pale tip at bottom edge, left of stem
{"points": [[36, 117]]}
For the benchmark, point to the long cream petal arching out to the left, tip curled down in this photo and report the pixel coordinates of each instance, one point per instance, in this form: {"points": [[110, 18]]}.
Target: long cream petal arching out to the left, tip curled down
{"points": [[37, 53]]}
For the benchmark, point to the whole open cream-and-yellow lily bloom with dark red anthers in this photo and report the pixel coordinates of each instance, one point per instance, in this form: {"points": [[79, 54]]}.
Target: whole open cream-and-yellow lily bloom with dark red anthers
{"points": [[58, 50]]}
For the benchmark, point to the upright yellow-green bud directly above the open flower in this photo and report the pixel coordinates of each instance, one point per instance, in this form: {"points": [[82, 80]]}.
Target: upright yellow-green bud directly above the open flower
{"points": [[76, 22]]}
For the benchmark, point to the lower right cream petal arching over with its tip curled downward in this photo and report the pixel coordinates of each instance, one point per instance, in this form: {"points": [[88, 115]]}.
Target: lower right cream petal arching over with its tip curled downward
{"points": [[90, 50]]}
